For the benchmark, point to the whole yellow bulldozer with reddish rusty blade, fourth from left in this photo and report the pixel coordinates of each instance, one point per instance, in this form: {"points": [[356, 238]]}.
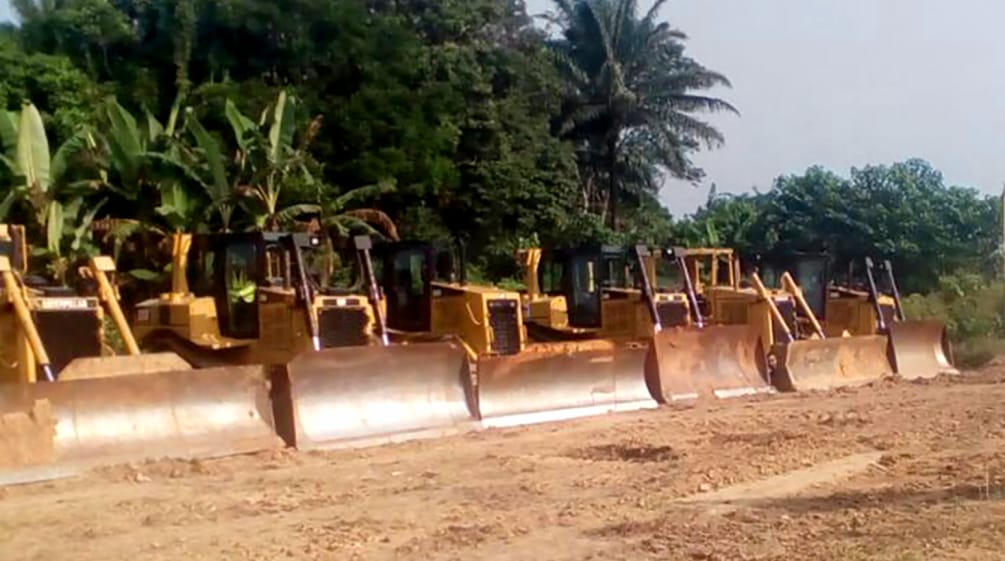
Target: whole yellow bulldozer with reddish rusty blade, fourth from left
{"points": [[606, 292]]}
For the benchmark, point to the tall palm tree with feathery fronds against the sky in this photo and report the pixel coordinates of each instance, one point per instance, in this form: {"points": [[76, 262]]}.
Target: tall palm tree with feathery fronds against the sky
{"points": [[631, 98]]}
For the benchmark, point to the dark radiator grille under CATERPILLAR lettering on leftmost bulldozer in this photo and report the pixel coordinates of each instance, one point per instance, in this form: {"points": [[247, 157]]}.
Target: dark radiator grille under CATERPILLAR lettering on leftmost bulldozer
{"points": [[69, 334]]}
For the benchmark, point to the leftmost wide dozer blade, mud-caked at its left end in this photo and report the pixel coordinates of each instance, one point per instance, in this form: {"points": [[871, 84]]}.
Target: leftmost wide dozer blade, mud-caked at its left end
{"points": [[57, 430]]}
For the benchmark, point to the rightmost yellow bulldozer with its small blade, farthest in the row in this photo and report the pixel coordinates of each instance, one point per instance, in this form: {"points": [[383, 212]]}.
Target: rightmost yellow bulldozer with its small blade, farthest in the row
{"points": [[916, 349]]}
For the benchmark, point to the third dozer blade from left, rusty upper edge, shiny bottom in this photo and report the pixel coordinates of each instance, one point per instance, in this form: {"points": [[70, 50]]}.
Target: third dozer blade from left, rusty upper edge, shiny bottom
{"points": [[555, 382]]}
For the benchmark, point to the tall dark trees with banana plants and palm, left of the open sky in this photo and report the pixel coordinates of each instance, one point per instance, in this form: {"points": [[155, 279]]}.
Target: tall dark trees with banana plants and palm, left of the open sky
{"points": [[456, 119]]}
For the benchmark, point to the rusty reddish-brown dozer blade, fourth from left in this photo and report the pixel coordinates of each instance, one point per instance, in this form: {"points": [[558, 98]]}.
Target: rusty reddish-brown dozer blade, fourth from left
{"points": [[720, 361]]}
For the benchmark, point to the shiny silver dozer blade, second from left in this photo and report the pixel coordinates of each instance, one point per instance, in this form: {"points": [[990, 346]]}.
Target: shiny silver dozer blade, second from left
{"points": [[365, 396]]}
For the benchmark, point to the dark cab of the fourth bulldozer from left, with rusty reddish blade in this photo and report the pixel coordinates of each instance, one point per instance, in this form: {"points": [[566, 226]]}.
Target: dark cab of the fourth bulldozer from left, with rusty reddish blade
{"points": [[585, 276]]}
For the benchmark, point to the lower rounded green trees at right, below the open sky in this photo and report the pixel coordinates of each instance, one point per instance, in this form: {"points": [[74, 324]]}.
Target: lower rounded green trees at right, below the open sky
{"points": [[904, 213]]}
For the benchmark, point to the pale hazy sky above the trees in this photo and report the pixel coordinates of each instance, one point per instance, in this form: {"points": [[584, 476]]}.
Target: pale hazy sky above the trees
{"points": [[846, 83]]}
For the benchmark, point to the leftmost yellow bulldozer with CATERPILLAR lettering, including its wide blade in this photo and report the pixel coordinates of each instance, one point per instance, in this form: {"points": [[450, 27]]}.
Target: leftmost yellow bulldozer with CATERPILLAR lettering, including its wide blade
{"points": [[70, 402]]}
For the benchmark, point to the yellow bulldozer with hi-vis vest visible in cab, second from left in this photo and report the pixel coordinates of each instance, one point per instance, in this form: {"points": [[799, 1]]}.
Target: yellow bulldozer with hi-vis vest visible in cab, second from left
{"points": [[337, 379]]}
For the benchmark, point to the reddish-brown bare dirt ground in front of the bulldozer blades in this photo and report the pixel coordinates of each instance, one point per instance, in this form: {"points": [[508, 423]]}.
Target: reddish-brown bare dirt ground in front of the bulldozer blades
{"points": [[895, 472]]}
